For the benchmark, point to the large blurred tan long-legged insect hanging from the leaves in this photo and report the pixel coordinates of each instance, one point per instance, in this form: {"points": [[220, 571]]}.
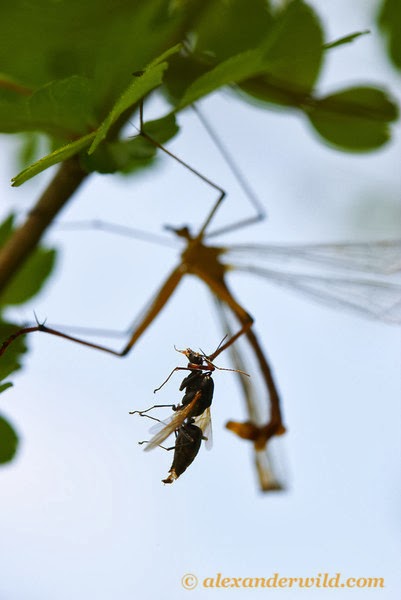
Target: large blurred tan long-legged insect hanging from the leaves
{"points": [[374, 298]]}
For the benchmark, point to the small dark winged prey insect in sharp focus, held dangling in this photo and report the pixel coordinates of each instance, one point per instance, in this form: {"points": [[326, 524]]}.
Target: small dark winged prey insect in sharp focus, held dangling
{"points": [[191, 422]]}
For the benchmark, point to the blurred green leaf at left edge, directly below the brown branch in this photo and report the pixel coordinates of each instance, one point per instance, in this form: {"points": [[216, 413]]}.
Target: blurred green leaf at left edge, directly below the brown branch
{"points": [[30, 278]]}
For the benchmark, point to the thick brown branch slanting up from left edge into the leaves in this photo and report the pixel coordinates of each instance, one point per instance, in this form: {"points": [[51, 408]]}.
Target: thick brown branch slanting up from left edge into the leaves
{"points": [[17, 249]]}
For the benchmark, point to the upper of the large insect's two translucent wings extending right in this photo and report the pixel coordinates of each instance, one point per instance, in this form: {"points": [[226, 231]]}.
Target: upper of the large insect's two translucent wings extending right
{"points": [[380, 257]]}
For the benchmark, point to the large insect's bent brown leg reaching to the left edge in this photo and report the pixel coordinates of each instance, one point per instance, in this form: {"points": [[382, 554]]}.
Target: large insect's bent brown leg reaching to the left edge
{"points": [[151, 313]]}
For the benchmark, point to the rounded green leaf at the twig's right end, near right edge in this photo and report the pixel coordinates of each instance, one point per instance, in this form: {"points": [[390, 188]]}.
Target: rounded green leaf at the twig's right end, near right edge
{"points": [[356, 119]]}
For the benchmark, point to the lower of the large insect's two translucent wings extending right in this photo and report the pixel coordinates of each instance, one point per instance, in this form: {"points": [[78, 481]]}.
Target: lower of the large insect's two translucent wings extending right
{"points": [[373, 299]]}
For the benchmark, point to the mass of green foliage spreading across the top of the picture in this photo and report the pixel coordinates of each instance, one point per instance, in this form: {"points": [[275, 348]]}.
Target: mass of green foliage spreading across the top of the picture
{"points": [[78, 71]]}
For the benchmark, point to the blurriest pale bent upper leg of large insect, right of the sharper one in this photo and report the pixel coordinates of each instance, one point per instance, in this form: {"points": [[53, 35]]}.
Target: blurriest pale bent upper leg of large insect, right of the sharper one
{"points": [[237, 173]]}
